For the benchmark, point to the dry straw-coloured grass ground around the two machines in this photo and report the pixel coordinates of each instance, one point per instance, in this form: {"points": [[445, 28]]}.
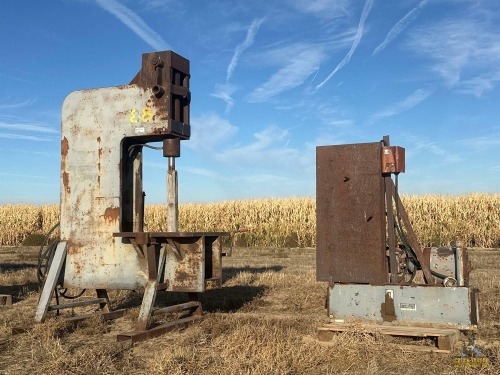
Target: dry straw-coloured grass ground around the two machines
{"points": [[263, 321]]}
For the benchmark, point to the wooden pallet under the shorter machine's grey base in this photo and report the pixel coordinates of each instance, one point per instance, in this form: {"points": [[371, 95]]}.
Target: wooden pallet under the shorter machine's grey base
{"points": [[445, 343]]}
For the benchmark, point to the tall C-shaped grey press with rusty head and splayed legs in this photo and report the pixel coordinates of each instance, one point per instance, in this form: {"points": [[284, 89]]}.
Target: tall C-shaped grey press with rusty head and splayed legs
{"points": [[102, 243]]}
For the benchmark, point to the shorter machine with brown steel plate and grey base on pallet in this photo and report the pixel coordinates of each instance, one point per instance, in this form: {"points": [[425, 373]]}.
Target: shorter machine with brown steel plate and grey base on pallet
{"points": [[368, 252]]}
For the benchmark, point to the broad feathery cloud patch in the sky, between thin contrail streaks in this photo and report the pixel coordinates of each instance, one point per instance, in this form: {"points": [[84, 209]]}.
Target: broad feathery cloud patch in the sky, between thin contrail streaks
{"points": [[299, 66]]}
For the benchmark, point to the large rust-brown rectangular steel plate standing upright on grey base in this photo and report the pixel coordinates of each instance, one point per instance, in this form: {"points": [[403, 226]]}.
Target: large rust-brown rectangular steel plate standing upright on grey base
{"points": [[350, 214]]}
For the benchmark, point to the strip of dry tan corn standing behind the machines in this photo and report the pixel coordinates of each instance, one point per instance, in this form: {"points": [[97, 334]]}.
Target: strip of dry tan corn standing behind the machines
{"points": [[289, 222]]}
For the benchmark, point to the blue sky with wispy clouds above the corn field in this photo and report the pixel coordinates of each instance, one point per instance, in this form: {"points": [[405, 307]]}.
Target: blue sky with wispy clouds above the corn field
{"points": [[271, 80]]}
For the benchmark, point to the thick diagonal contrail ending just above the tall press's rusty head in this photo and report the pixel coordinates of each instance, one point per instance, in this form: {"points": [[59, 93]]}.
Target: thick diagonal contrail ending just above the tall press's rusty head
{"points": [[134, 23]]}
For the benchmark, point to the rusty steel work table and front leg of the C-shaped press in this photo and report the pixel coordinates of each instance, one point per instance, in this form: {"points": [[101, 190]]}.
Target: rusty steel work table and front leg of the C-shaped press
{"points": [[176, 261]]}
